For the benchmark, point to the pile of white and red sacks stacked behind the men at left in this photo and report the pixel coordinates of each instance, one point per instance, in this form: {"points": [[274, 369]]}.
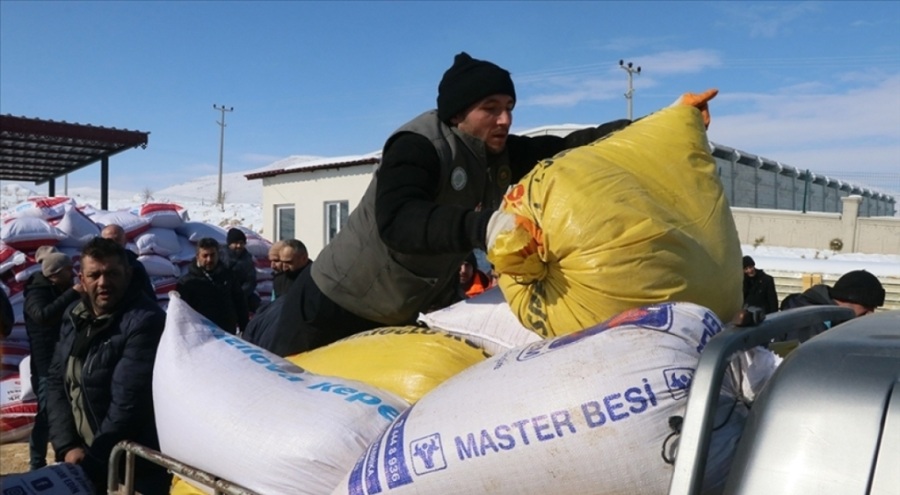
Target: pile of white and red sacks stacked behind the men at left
{"points": [[160, 233]]}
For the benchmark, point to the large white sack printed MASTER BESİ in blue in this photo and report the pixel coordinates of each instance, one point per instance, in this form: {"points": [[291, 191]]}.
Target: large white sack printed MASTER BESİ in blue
{"points": [[585, 413]]}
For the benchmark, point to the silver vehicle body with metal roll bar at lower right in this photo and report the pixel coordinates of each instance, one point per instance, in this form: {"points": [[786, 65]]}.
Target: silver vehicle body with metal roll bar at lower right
{"points": [[826, 423]]}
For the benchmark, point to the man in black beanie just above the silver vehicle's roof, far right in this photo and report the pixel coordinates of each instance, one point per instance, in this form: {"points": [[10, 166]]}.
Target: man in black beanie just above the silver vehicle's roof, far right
{"points": [[858, 290]]}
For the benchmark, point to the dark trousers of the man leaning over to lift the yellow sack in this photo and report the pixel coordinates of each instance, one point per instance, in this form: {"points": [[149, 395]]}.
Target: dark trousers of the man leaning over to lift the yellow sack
{"points": [[309, 319]]}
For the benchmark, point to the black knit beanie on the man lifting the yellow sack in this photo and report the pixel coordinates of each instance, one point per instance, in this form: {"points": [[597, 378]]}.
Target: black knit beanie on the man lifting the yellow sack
{"points": [[467, 82]]}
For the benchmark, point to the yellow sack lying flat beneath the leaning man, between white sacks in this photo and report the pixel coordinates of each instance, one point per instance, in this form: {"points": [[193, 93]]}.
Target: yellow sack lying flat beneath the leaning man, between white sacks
{"points": [[408, 361]]}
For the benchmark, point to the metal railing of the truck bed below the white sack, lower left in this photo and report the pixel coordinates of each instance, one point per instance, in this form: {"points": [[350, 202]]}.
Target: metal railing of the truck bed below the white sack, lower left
{"points": [[132, 449]]}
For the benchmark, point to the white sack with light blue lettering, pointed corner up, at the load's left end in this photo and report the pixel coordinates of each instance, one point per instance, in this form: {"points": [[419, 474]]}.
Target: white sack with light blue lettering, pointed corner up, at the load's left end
{"points": [[234, 410]]}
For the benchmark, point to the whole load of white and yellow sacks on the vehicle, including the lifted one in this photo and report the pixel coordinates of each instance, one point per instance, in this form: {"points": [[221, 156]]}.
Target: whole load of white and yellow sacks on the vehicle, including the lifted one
{"points": [[567, 388]]}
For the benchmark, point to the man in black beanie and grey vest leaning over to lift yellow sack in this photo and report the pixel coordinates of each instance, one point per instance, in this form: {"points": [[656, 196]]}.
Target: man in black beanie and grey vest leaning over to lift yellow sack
{"points": [[442, 176]]}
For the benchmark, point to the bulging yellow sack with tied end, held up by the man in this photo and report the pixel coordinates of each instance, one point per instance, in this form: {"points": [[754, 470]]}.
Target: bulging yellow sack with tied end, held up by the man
{"points": [[639, 217]]}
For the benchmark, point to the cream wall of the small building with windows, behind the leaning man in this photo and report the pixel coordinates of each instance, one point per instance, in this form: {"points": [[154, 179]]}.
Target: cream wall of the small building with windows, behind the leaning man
{"points": [[308, 191]]}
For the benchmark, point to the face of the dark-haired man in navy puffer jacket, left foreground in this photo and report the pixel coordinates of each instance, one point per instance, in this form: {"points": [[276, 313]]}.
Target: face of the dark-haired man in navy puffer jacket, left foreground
{"points": [[104, 281]]}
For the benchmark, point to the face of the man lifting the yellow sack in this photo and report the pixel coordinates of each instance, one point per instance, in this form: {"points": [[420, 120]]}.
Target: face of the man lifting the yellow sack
{"points": [[488, 120]]}
